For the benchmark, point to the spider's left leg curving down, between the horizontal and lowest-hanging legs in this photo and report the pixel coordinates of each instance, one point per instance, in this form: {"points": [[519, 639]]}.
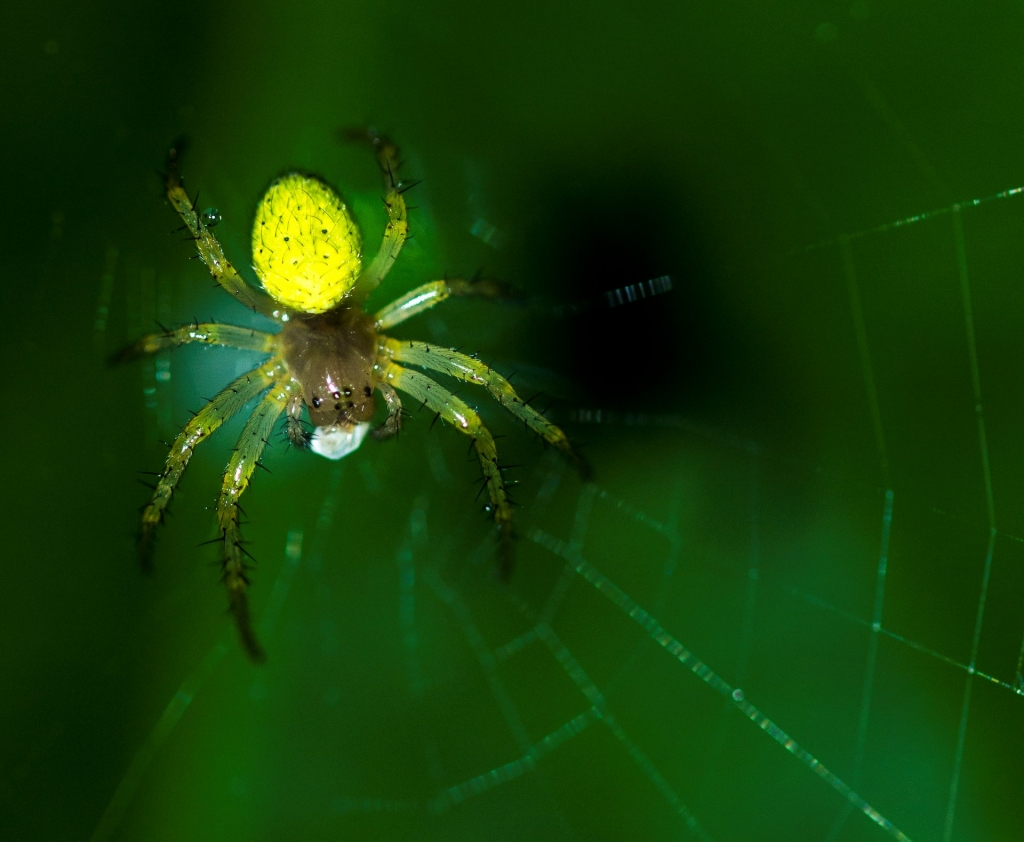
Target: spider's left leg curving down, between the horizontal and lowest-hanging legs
{"points": [[216, 413]]}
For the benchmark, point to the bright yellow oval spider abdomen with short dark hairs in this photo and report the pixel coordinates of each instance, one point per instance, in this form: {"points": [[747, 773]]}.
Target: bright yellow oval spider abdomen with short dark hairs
{"points": [[307, 248]]}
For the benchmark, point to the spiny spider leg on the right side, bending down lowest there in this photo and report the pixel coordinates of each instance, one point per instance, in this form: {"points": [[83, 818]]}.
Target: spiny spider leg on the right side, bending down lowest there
{"points": [[457, 413]]}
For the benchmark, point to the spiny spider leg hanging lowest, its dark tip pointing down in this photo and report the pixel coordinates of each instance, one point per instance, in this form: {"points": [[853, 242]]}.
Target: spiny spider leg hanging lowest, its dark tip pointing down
{"points": [[237, 477]]}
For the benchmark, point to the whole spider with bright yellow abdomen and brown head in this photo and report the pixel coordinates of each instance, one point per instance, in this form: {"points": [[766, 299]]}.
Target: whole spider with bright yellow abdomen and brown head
{"points": [[329, 359]]}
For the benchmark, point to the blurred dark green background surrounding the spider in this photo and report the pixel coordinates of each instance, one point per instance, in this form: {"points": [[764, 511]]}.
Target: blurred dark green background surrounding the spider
{"points": [[821, 428]]}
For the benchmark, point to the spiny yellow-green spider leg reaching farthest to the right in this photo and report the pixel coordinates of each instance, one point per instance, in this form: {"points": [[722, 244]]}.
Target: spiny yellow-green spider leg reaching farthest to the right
{"points": [[463, 367]]}
